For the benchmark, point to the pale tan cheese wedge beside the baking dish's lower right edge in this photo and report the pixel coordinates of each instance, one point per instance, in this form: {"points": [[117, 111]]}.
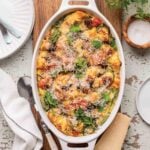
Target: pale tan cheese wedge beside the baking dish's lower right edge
{"points": [[113, 138]]}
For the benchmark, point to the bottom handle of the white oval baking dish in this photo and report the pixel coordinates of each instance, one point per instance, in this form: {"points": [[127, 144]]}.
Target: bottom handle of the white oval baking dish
{"points": [[89, 146]]}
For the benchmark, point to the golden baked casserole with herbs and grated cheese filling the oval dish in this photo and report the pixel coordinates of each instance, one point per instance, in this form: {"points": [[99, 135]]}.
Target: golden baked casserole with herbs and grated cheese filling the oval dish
{"points": [[78, 73]]}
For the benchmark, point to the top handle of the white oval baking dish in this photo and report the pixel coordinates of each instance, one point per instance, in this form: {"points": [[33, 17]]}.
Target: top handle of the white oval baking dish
{"points": [[66, 4]]}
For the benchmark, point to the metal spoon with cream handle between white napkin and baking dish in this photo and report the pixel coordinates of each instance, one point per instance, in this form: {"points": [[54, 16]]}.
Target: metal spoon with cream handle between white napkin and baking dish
{"points": [[25, 90]]}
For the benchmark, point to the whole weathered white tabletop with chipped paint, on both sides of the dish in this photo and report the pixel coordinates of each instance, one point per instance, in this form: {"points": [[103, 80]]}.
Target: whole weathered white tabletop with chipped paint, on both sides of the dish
{"points": [[137, 70]]}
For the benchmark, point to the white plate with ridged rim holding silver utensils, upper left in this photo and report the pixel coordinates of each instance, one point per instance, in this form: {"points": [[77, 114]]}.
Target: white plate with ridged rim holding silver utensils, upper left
{"points": [[21, 14]]}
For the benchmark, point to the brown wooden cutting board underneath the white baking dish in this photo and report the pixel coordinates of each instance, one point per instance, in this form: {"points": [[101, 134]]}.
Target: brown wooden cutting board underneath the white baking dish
{"points": [[44, 9]]}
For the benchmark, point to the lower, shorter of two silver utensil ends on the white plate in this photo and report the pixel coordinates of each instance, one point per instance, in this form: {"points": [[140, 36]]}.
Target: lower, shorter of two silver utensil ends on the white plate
{"points": [[5, 34]]}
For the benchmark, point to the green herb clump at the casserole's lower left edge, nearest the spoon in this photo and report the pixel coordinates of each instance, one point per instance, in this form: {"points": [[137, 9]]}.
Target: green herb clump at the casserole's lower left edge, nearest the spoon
{"points": [[49, 100]]}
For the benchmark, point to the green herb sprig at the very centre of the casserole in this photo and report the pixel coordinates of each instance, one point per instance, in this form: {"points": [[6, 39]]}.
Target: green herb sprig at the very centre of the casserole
{"points": [[80, 66]]}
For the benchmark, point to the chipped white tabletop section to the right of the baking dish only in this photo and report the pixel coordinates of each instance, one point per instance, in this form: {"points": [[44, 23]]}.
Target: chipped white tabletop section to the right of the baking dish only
{"points": [[137, 71]]}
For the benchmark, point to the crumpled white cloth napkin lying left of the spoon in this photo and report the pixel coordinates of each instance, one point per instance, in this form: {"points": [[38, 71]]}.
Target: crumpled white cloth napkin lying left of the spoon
{"points": [[18, 114]]}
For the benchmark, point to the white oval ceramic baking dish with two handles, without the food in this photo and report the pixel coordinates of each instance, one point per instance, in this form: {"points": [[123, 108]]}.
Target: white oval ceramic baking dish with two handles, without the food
{"points": [[66, 8]]}
